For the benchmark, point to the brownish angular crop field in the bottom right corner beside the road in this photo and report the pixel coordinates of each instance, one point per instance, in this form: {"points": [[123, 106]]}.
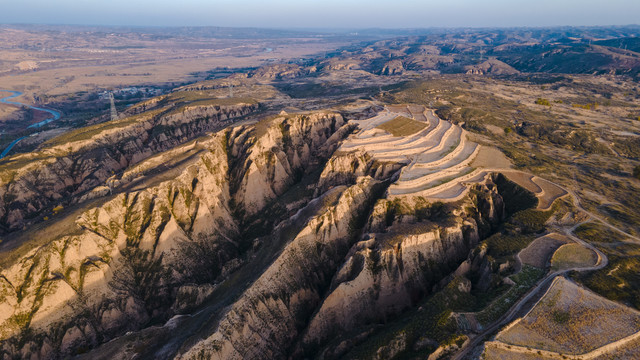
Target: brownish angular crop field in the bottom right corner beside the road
{"points": [[571, 320]]}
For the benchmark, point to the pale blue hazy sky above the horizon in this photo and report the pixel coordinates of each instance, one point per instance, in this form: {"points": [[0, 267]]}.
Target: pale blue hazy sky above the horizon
{"points": [[323, 13]]}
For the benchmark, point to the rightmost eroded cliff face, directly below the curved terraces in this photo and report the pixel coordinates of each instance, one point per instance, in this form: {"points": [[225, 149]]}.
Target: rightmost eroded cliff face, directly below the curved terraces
{"points": [[401, 257]]}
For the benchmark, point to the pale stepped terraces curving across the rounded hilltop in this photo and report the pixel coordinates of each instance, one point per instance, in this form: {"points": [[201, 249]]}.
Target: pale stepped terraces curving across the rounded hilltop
{"points": [[437, 157]]}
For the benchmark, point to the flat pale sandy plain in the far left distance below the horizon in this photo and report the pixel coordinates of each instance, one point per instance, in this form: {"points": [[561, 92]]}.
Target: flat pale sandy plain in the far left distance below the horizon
{"points": [[92, 60]]}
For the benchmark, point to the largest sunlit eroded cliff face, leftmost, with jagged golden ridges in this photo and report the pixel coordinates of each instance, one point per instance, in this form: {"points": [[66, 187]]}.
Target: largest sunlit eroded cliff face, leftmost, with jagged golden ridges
{"points": [[127, 262]]}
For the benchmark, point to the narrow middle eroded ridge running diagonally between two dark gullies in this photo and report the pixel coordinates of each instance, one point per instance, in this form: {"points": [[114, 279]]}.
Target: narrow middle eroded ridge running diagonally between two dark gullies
{"points": [[270, 315]]}
